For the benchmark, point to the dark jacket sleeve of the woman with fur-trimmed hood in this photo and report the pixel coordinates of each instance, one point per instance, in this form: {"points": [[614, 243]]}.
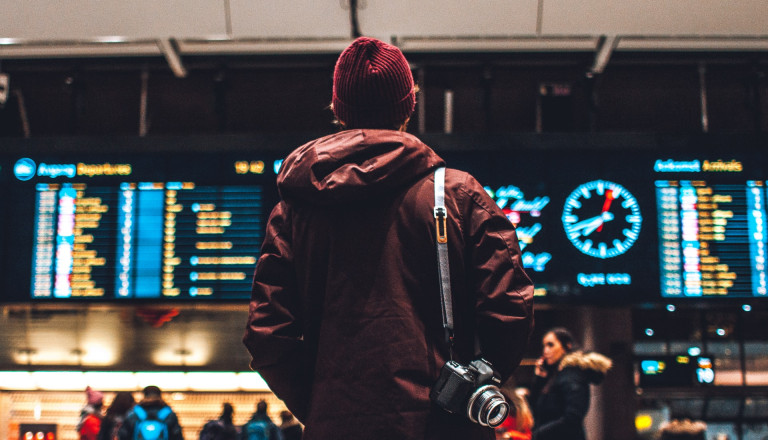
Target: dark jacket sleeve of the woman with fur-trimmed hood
{"points": [[575, 398]]}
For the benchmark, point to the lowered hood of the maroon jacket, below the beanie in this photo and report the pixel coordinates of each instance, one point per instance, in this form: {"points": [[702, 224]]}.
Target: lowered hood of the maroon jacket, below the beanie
{"points": [[353, 165]]}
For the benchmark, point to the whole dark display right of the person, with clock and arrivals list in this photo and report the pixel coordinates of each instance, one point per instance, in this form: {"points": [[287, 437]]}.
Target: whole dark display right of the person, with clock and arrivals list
{"points": [[635, 225]]}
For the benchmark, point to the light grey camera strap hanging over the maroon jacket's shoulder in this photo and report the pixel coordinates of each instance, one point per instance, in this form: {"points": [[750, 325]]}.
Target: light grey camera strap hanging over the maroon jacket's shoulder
{"points": [[443, 270]]}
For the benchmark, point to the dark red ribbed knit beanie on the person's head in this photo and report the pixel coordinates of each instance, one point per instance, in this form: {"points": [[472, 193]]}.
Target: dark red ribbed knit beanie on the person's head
{"points": [[372, 86]]}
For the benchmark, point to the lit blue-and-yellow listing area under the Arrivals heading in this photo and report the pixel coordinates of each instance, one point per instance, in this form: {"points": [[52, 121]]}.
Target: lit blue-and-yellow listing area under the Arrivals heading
{"points": [[712, 238]]}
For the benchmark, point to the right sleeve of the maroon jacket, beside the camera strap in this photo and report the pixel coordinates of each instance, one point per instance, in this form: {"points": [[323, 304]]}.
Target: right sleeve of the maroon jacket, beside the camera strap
{"points": [[504, 292]]}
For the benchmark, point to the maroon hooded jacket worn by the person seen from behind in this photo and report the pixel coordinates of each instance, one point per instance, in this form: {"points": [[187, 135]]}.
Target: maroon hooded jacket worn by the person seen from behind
{"points": [[345, 317]]}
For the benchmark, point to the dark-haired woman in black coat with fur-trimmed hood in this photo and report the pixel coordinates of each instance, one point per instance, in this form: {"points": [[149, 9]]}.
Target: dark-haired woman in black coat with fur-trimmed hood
{"points": [[560, 395]]}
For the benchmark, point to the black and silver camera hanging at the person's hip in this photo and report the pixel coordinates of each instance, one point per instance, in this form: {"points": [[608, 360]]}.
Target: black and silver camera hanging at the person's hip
{"points": [[471, 389]]}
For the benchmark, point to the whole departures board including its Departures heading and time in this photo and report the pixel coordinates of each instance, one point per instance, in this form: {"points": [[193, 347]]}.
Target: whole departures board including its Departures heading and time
{"points": [[110, 230]]}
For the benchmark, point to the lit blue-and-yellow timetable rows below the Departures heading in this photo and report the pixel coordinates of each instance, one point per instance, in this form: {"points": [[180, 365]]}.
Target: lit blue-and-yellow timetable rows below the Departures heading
{"points": [[145, 240]]}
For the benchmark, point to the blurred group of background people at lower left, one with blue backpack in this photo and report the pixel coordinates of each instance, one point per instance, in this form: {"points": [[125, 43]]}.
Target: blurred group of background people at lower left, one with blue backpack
{"points": [[153, 419]]}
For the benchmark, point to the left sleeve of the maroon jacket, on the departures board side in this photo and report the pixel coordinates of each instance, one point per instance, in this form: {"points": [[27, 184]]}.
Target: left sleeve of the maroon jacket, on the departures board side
{"points": [[273, 334]]}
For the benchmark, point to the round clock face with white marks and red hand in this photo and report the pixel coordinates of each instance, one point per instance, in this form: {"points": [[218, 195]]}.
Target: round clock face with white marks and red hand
{"points": [[602, 219]]}
